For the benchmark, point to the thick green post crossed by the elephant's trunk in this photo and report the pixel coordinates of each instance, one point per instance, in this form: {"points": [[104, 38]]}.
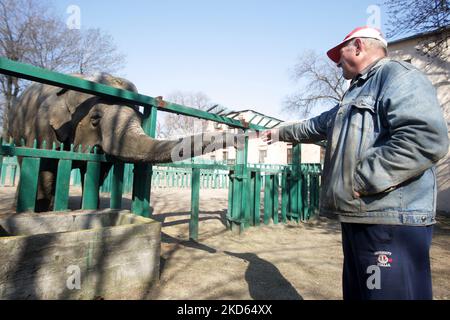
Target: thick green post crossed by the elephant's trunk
{"points": [[143, 172]]}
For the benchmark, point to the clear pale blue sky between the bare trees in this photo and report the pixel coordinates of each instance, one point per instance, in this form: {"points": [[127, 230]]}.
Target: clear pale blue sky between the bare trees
{"points": [[239, 53]]}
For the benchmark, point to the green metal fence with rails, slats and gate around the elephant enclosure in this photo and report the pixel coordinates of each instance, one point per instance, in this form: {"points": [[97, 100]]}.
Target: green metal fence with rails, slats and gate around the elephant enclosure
{"points": [[289, 192]]}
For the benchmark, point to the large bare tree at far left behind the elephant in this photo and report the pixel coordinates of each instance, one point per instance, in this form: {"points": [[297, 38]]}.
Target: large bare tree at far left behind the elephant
{"points": [[32, 33]]}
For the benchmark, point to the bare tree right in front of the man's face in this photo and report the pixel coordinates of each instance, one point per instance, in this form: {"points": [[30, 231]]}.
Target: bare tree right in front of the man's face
{"points": [[322, 83]]}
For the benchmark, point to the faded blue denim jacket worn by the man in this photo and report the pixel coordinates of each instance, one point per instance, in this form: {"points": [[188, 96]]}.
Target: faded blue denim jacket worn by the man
{"points": [[384, 139]]}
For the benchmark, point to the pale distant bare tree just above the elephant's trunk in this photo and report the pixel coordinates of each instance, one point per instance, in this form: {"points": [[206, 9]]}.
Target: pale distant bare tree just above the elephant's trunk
{"points": [[178, 125]]}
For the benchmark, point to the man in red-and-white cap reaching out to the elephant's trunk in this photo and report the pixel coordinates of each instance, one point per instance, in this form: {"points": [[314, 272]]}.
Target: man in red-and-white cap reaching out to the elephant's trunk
{"points": [[384, 139]]}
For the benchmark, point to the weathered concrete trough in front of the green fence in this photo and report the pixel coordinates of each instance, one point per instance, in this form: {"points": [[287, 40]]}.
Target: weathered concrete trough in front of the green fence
{"points": [[115, 255]]}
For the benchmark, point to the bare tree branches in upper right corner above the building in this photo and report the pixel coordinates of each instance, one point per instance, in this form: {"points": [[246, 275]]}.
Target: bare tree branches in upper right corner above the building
{"points": [[421, 16]]}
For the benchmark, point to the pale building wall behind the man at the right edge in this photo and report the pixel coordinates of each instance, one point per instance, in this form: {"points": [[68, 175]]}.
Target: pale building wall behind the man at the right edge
{"points": [[438, 71]]}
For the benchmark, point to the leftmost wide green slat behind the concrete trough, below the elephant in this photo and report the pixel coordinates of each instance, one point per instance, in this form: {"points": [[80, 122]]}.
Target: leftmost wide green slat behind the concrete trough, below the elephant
{"points": [[28, 184]]}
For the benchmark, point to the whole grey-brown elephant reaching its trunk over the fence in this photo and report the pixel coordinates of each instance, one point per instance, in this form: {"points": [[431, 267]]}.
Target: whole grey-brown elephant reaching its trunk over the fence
{"points": [[61, 116]]}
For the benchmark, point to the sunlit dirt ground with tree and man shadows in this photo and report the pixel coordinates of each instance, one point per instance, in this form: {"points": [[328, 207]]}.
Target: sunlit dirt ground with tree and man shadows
{"points": [[292, 261]]}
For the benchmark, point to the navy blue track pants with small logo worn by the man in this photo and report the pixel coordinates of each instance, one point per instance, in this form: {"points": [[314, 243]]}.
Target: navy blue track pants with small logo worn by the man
{"points": [[386, 262]]}
